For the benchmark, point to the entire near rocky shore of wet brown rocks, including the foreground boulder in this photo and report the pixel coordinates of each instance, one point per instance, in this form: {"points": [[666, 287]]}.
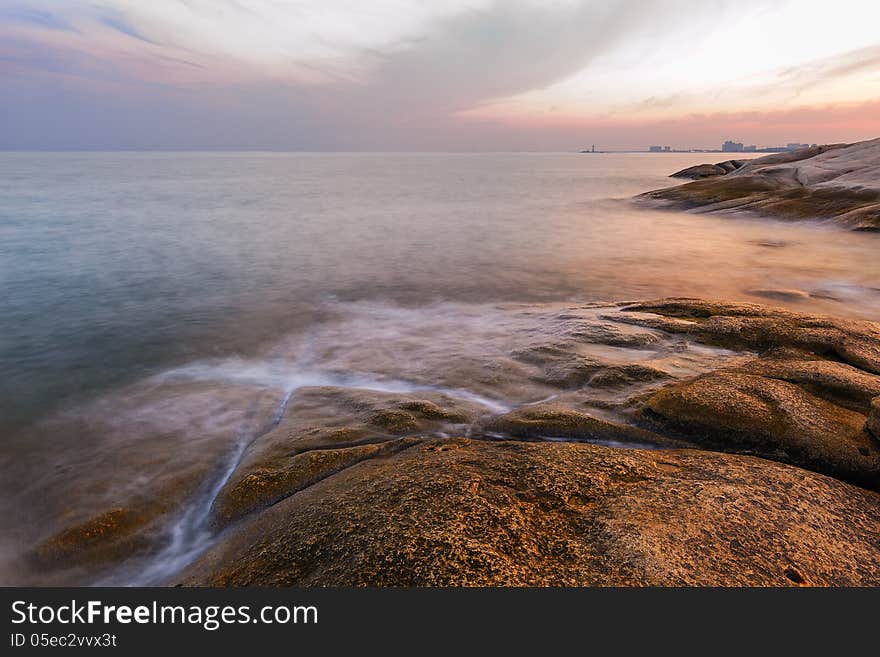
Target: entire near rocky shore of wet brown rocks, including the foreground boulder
{"points": [[681, 442]]}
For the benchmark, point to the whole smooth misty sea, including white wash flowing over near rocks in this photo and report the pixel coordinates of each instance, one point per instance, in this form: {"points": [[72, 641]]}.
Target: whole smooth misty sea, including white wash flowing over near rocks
{"points": [[159, 309]]}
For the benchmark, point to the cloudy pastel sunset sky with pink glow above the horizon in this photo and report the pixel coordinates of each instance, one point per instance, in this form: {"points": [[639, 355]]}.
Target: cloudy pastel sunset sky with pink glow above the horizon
{"points": [[444, 75]]}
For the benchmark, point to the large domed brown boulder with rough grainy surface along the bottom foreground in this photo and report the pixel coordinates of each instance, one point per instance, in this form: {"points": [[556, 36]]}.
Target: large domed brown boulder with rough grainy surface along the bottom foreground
{"points": [[457, 512]]}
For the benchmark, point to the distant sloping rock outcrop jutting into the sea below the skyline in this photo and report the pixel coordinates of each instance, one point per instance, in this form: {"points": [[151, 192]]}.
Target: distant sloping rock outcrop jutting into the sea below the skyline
{"points": [[838, 181]]}
